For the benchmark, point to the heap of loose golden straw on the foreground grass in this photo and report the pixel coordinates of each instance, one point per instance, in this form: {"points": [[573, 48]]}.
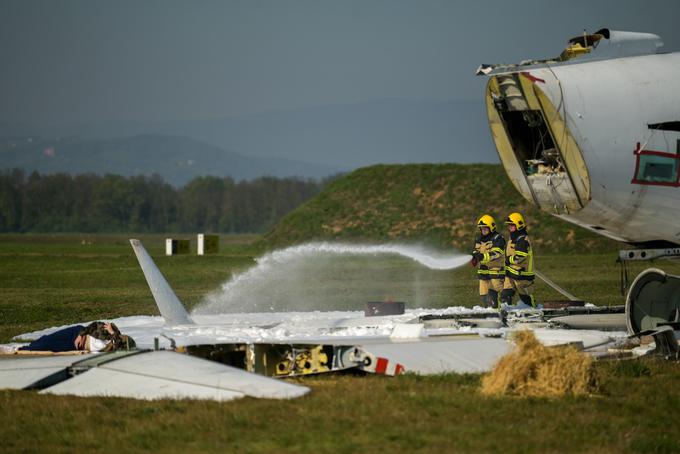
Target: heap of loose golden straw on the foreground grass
{"points": [[534, 370]]}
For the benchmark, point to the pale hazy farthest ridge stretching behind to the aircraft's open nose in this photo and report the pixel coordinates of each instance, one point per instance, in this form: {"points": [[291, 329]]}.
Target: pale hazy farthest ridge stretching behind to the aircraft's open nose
{"points": [[344, 136]]}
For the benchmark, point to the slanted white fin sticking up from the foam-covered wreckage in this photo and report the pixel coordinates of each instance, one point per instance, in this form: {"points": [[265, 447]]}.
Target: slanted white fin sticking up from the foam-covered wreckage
{"points": [[170, 306]]}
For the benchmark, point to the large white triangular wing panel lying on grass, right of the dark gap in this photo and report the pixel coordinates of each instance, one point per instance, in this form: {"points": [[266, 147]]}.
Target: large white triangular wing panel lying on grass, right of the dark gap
{"points": [[169, 375]]}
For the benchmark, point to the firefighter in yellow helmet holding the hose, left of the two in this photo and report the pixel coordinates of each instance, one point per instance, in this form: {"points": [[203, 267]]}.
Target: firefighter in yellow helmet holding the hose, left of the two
{"points": [[488, 257]]}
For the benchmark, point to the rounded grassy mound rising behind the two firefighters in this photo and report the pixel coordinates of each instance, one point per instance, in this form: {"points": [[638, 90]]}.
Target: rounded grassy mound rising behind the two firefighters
{"points": [[436, 204]]}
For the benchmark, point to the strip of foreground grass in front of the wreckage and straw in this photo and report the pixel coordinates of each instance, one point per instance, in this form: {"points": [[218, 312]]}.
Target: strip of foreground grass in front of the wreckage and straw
{"points": [[354, 414]]}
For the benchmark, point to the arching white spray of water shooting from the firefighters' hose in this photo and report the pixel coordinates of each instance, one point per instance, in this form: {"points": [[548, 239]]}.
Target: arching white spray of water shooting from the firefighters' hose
{"points": [[329, 276]]}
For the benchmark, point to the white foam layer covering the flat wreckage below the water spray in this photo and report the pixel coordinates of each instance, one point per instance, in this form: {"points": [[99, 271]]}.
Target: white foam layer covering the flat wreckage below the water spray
{"points": [[345, 327]]}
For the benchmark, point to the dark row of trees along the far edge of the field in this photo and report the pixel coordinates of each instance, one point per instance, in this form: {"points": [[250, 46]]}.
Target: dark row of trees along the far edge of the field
{"points": [[113, 203]]}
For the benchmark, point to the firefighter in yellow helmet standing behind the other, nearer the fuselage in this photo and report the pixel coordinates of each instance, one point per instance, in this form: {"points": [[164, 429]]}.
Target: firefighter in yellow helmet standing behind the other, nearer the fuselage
{"points": [[519, 264]]}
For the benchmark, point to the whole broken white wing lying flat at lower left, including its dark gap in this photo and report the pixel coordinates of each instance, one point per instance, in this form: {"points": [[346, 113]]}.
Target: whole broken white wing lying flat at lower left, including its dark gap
{"points": [[142, 375]]}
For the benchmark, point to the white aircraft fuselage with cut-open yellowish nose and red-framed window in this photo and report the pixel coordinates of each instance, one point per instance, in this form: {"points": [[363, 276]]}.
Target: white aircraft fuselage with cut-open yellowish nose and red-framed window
{"points": [[596, 143]]}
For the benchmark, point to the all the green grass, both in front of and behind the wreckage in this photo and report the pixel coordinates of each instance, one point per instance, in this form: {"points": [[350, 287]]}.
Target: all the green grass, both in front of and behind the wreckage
{"points": [[48, 280]]}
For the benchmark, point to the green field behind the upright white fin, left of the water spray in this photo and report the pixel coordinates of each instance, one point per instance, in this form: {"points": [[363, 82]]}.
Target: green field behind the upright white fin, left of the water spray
{"points": [[50, 280]]}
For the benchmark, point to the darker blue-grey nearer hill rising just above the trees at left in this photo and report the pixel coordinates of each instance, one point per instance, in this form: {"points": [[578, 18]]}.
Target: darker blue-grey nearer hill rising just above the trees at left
{"points": [[176, 159]]}
